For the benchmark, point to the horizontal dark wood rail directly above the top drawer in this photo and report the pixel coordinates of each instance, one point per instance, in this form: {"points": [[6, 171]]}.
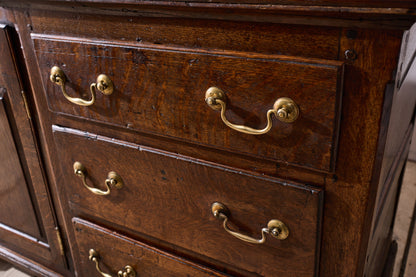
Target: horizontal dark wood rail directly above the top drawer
{"points": [[282, 39]]}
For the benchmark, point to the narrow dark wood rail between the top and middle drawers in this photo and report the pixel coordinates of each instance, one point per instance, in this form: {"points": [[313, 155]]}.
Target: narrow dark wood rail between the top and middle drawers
{"points": [[258, 165]]}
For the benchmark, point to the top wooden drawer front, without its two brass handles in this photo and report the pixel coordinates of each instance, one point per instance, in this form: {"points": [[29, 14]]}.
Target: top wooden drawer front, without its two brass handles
{"points": [[162, 91]]}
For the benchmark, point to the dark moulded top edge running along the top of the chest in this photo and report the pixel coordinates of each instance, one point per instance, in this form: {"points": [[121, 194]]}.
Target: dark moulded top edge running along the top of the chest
{"points": [[376, 17]]}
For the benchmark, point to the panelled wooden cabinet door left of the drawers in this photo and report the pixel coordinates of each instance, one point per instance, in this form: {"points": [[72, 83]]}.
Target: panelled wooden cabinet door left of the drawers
{"points": [[27, 222]]}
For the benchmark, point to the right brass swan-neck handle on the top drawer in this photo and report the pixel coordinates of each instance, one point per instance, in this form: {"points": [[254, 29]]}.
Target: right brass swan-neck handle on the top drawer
{"points": [[285, 109]]}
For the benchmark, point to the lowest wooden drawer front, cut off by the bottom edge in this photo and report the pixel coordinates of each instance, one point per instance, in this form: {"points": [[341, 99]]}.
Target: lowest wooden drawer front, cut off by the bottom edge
{"points": [[115, 252]]}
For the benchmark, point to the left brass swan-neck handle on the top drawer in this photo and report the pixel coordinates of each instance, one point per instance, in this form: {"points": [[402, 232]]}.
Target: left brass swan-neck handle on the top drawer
{"points": [[103, 84]]}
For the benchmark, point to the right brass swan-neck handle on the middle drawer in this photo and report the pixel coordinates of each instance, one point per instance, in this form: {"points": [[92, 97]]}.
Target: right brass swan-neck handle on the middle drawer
{"points": [[275, 228]]}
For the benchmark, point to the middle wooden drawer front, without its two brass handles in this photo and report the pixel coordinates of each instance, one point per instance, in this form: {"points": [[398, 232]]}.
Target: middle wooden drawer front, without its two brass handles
{"points": [[168, 197]]}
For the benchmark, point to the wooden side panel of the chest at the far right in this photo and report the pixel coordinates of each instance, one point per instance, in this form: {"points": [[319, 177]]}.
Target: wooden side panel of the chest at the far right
{"points": [[395, 138]]}
